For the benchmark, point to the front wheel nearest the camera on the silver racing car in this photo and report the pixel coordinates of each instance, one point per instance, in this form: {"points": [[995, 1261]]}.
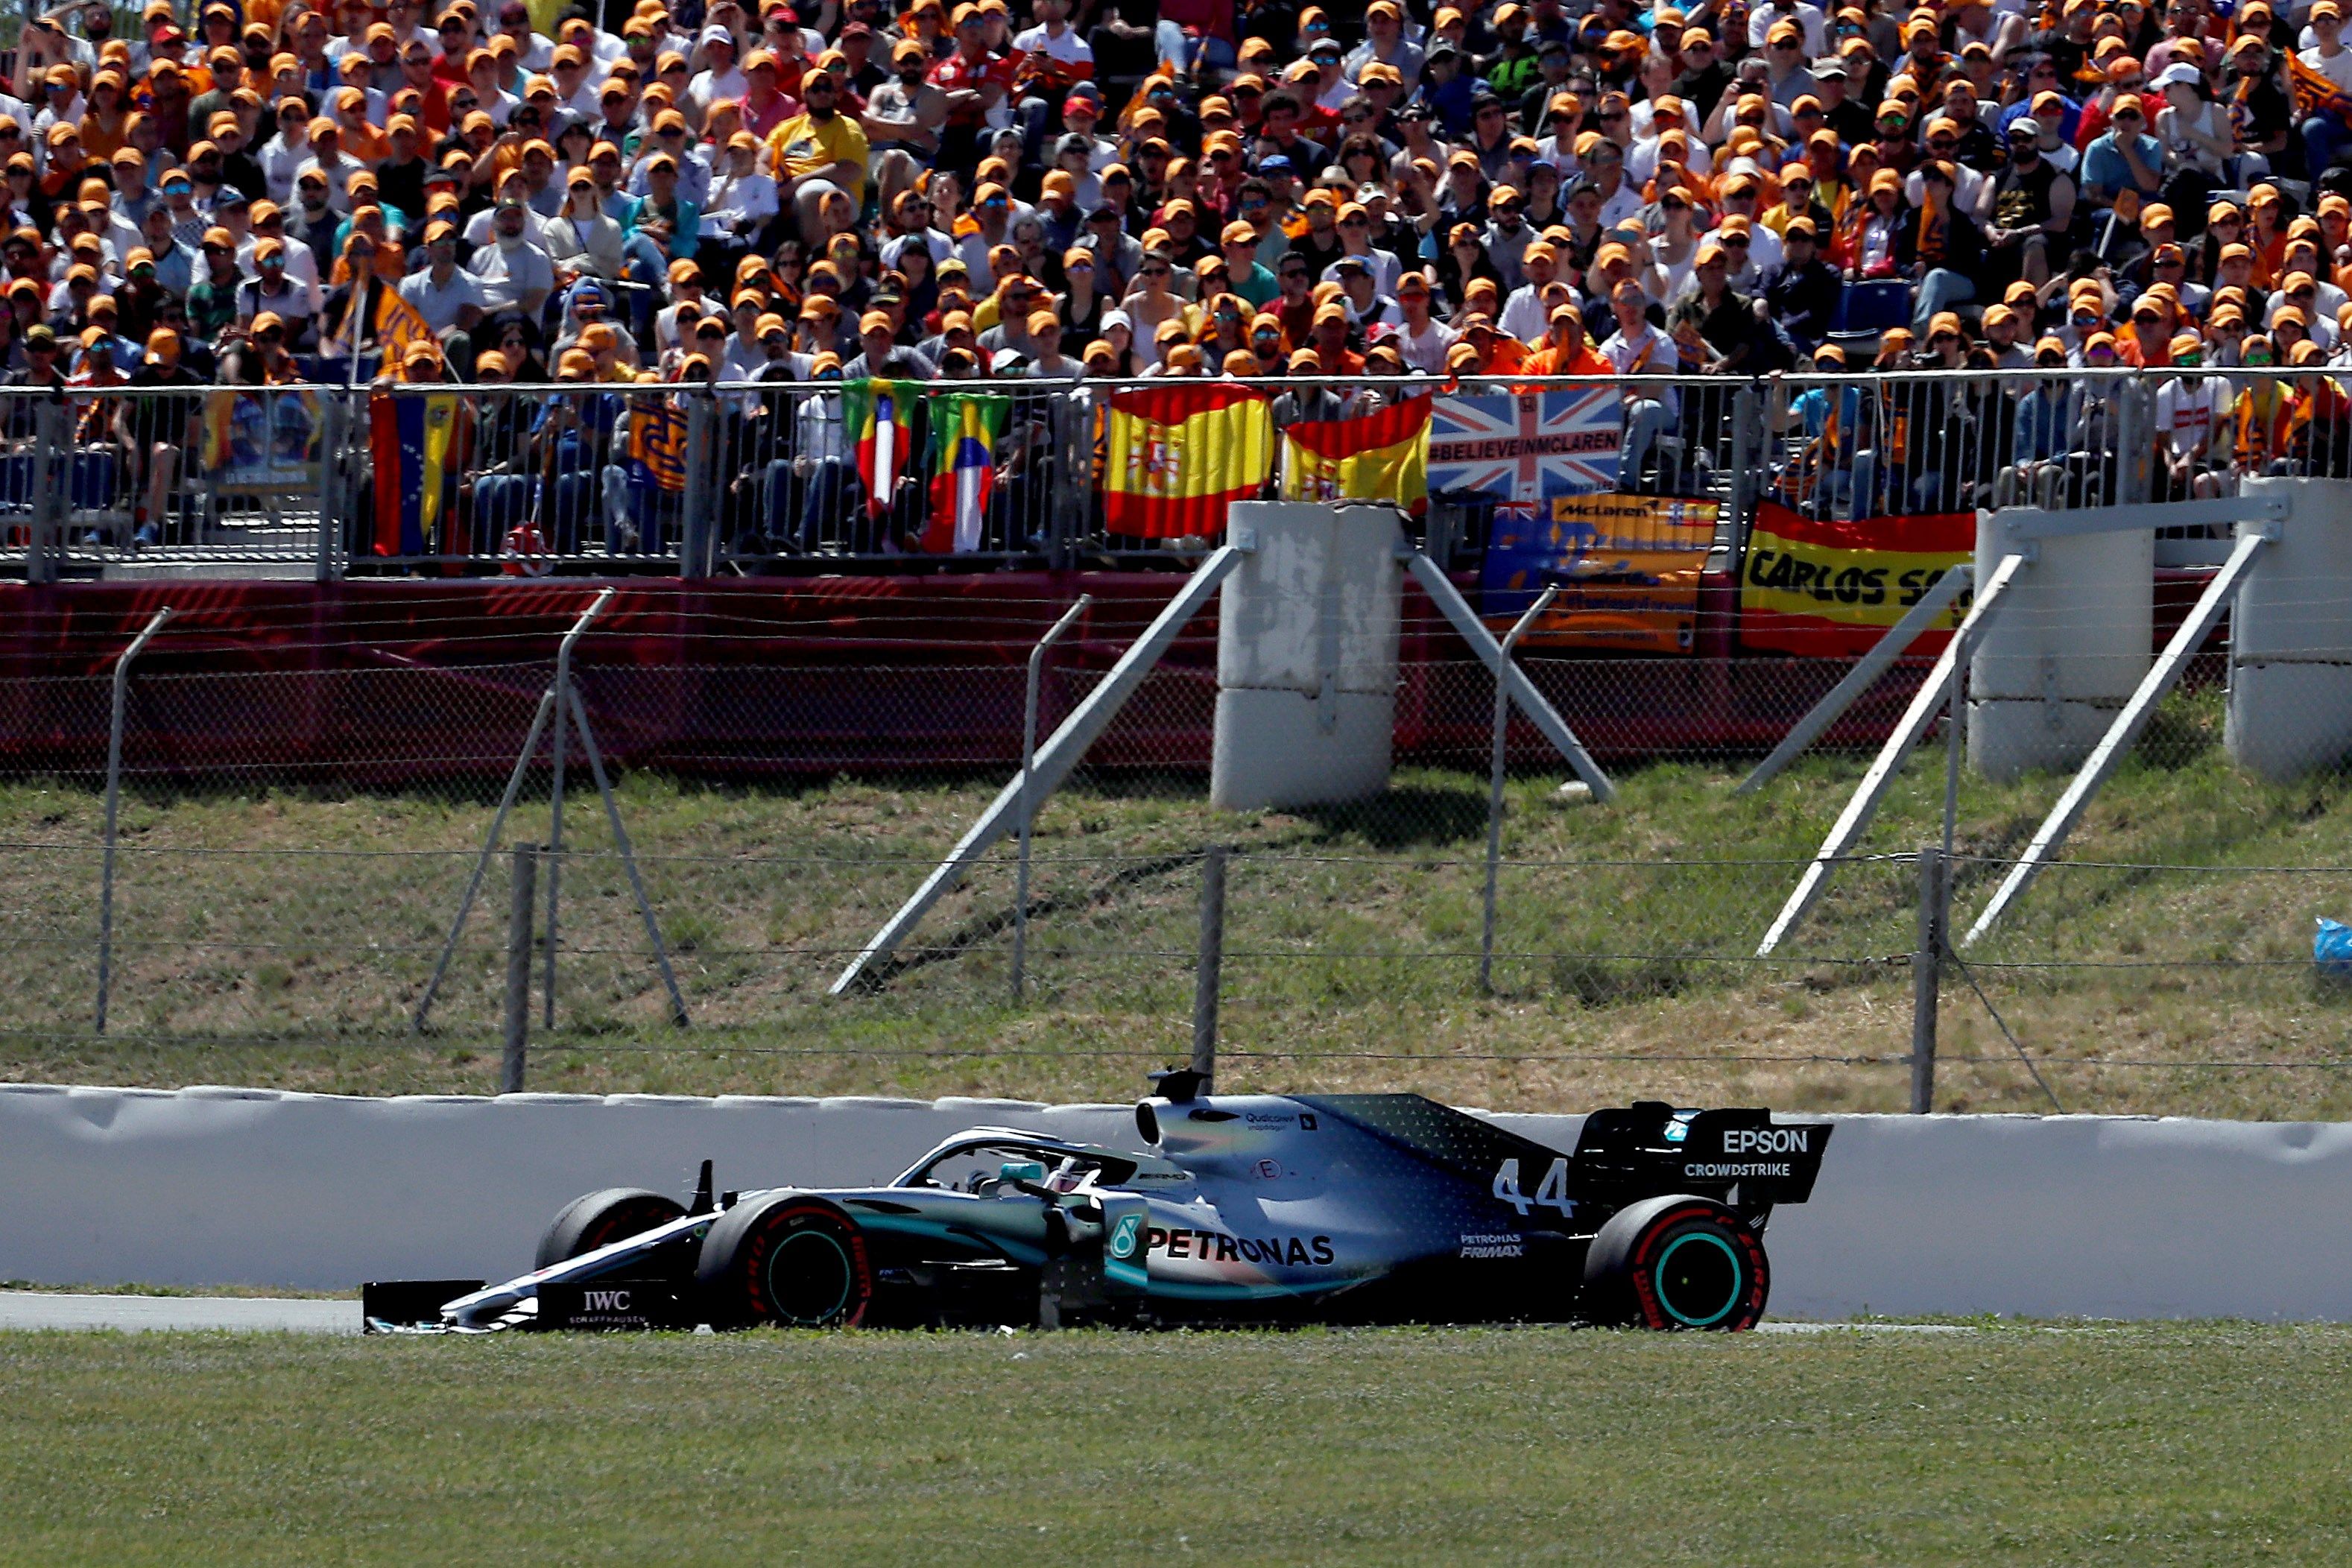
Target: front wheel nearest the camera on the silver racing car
{"points": [[791, 1261]]}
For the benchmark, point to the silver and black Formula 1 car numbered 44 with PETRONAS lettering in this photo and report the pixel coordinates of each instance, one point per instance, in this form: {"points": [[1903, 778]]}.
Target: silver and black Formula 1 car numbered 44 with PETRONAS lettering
{"points": [[1250, 1209]]}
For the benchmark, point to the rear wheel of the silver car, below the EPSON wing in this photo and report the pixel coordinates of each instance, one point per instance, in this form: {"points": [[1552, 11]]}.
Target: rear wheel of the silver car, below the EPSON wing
{"points": [[1678, 1264]]}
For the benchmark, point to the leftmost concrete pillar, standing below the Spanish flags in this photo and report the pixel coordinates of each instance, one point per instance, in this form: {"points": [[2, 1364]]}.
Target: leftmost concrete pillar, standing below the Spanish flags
{"points": [[1307, 657]]}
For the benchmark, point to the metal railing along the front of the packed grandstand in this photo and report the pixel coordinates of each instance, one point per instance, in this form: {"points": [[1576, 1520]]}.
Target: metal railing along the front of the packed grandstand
{"points": [[695, 481]]}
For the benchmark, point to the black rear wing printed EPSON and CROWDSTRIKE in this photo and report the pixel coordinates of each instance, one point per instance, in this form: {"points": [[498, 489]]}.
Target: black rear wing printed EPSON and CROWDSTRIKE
{"points": [[1652, 1148]]}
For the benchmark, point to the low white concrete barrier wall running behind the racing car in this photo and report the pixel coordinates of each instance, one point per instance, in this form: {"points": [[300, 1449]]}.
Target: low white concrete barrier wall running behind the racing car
{"points": [[2064, 1217]]}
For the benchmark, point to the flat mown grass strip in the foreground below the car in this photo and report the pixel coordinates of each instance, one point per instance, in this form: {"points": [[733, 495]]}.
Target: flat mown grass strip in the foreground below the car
{"points": [[2141, 1445]]}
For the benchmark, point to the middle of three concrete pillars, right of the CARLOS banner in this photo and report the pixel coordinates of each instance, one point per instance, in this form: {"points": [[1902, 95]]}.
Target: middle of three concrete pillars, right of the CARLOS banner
{"points": [[2069, 645]]}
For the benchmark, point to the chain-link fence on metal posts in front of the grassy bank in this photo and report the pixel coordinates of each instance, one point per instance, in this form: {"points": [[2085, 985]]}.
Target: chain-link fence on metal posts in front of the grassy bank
{"points": [[293, 850]]}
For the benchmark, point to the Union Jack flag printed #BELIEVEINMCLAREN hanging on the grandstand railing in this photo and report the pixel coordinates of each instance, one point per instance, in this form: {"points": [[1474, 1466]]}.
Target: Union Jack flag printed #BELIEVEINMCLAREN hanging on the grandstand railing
{"points": [[1528, 448]]}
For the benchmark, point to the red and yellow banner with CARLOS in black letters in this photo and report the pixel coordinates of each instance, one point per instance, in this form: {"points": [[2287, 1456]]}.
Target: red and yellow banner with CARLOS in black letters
{"points": [[1831, 589]]}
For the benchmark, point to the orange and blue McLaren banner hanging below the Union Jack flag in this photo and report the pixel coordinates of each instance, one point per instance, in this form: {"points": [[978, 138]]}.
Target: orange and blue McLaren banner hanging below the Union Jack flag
{"points": [[1626, 570]]}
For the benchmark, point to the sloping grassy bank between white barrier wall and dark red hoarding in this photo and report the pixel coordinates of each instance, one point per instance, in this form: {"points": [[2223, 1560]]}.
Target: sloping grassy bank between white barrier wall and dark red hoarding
{"points": [[274, 937]]}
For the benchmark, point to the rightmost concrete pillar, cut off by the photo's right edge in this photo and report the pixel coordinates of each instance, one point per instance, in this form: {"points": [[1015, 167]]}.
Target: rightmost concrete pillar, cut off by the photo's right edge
{"points": [[2292, 636]]}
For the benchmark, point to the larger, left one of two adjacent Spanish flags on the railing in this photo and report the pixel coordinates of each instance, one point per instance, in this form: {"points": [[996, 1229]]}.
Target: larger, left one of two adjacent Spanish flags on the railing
{"points": [[1182, 453]]}
